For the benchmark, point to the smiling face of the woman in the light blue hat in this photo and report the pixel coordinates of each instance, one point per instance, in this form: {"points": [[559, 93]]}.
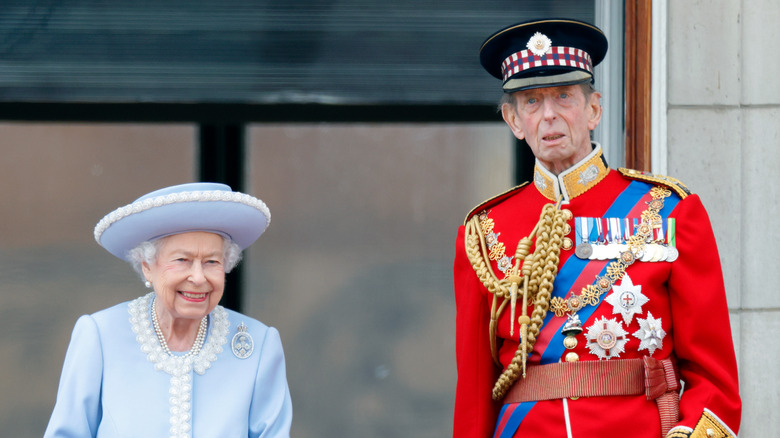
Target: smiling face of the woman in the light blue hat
{"points": [[188, 275]]}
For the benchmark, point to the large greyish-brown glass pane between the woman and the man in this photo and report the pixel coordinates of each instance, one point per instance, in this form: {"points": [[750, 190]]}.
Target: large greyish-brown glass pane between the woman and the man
{"points": [[356, 267]]}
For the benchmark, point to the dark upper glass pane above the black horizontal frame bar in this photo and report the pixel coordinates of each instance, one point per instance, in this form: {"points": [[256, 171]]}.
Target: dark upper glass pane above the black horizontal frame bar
{"points": [[257, 51]]}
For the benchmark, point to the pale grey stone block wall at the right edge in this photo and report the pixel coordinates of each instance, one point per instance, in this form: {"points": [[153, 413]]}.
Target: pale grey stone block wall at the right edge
{"points": [[723, 141]]}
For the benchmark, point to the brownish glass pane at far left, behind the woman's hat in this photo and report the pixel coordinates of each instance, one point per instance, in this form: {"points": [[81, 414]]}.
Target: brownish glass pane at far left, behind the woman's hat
{"points": [[59, 180]]}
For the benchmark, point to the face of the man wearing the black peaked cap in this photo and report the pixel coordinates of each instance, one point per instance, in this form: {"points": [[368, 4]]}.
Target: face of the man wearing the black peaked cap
{"points": [[555, 122]]}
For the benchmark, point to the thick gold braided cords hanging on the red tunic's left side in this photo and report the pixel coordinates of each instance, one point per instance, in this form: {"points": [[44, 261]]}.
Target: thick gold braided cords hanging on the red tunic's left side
{"points": [[538, 273]]}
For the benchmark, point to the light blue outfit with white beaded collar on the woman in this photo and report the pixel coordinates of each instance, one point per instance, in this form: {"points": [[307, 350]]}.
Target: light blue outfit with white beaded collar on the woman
{"points": [[117, 381]]}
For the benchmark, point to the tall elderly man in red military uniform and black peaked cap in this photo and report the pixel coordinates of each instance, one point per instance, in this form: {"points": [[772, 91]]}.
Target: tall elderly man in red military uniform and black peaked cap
{"points": [[590, 302]]}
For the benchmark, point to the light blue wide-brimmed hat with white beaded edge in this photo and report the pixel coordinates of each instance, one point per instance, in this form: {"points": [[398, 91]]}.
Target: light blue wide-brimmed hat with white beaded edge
{"points": [[183, 208]]}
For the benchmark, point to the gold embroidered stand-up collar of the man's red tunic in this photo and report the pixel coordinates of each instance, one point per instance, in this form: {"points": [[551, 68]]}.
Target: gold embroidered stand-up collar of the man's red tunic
{"points": [[573, 181]]}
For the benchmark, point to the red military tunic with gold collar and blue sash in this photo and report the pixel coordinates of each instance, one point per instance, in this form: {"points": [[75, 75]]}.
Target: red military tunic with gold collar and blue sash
{"points": [[686, 297]]}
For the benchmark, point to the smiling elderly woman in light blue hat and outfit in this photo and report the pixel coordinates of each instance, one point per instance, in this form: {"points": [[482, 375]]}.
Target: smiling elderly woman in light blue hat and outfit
{"points": [[173, 361]]}
